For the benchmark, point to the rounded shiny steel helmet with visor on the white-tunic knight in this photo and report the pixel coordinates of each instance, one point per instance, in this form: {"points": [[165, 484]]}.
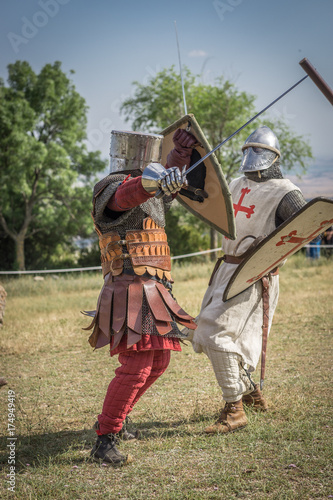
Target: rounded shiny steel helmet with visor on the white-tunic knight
{"points": [[260, 150]]}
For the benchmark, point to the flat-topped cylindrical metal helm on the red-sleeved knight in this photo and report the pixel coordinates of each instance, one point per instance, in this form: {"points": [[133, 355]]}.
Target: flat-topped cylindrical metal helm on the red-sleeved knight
{"points": [[133, 150]]}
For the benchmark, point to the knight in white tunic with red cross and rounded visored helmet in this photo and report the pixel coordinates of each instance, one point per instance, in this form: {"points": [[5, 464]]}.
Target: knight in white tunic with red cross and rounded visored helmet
{"points": [[230, 333]]}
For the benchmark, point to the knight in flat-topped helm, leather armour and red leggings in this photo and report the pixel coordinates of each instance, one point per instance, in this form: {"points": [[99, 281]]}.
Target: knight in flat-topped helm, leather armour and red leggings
{"points": [[136, 313]]}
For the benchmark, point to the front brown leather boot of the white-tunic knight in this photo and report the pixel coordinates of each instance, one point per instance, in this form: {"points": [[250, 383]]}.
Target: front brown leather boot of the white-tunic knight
{"points": [[232, 418]]}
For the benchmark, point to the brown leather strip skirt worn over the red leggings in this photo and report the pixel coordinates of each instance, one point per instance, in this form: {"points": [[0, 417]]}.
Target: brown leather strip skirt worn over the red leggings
{"points": [[135, 305]]}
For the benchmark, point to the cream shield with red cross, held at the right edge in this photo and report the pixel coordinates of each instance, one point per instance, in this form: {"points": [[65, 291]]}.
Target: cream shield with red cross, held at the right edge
{"points": [[300, 229]]}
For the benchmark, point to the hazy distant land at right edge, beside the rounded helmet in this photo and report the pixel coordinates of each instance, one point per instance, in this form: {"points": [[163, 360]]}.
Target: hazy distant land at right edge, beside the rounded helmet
{"points": [[318, 180]]}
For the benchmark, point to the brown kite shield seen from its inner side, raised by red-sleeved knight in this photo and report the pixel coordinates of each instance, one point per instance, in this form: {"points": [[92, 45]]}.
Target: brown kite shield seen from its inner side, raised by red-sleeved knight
{"points": [[217, 209]]}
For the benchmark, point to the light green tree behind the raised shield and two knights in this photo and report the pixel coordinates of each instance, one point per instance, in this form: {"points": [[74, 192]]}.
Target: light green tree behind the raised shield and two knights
{"points": [[220, 110]]}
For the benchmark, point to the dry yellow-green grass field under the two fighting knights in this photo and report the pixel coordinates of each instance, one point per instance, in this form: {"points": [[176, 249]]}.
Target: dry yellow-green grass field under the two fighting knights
{"points": [[59, 384]]}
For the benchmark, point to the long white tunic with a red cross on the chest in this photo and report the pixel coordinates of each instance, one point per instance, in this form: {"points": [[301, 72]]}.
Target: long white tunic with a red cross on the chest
{"points": [[236, 325]]}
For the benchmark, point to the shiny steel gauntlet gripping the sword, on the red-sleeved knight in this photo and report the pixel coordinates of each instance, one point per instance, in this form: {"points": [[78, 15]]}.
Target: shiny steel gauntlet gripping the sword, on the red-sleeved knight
{"points": [[156, 177]]}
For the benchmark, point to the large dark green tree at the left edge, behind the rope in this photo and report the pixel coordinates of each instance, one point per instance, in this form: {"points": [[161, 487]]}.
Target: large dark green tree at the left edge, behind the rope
{"points": [[46, 172]]}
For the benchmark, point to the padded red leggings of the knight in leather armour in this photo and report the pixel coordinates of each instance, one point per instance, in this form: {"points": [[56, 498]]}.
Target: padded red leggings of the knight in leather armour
{"points": [[137, 372]]}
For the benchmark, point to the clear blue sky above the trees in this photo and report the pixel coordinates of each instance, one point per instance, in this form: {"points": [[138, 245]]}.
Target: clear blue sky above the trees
{"points": [[255, 43]]}
